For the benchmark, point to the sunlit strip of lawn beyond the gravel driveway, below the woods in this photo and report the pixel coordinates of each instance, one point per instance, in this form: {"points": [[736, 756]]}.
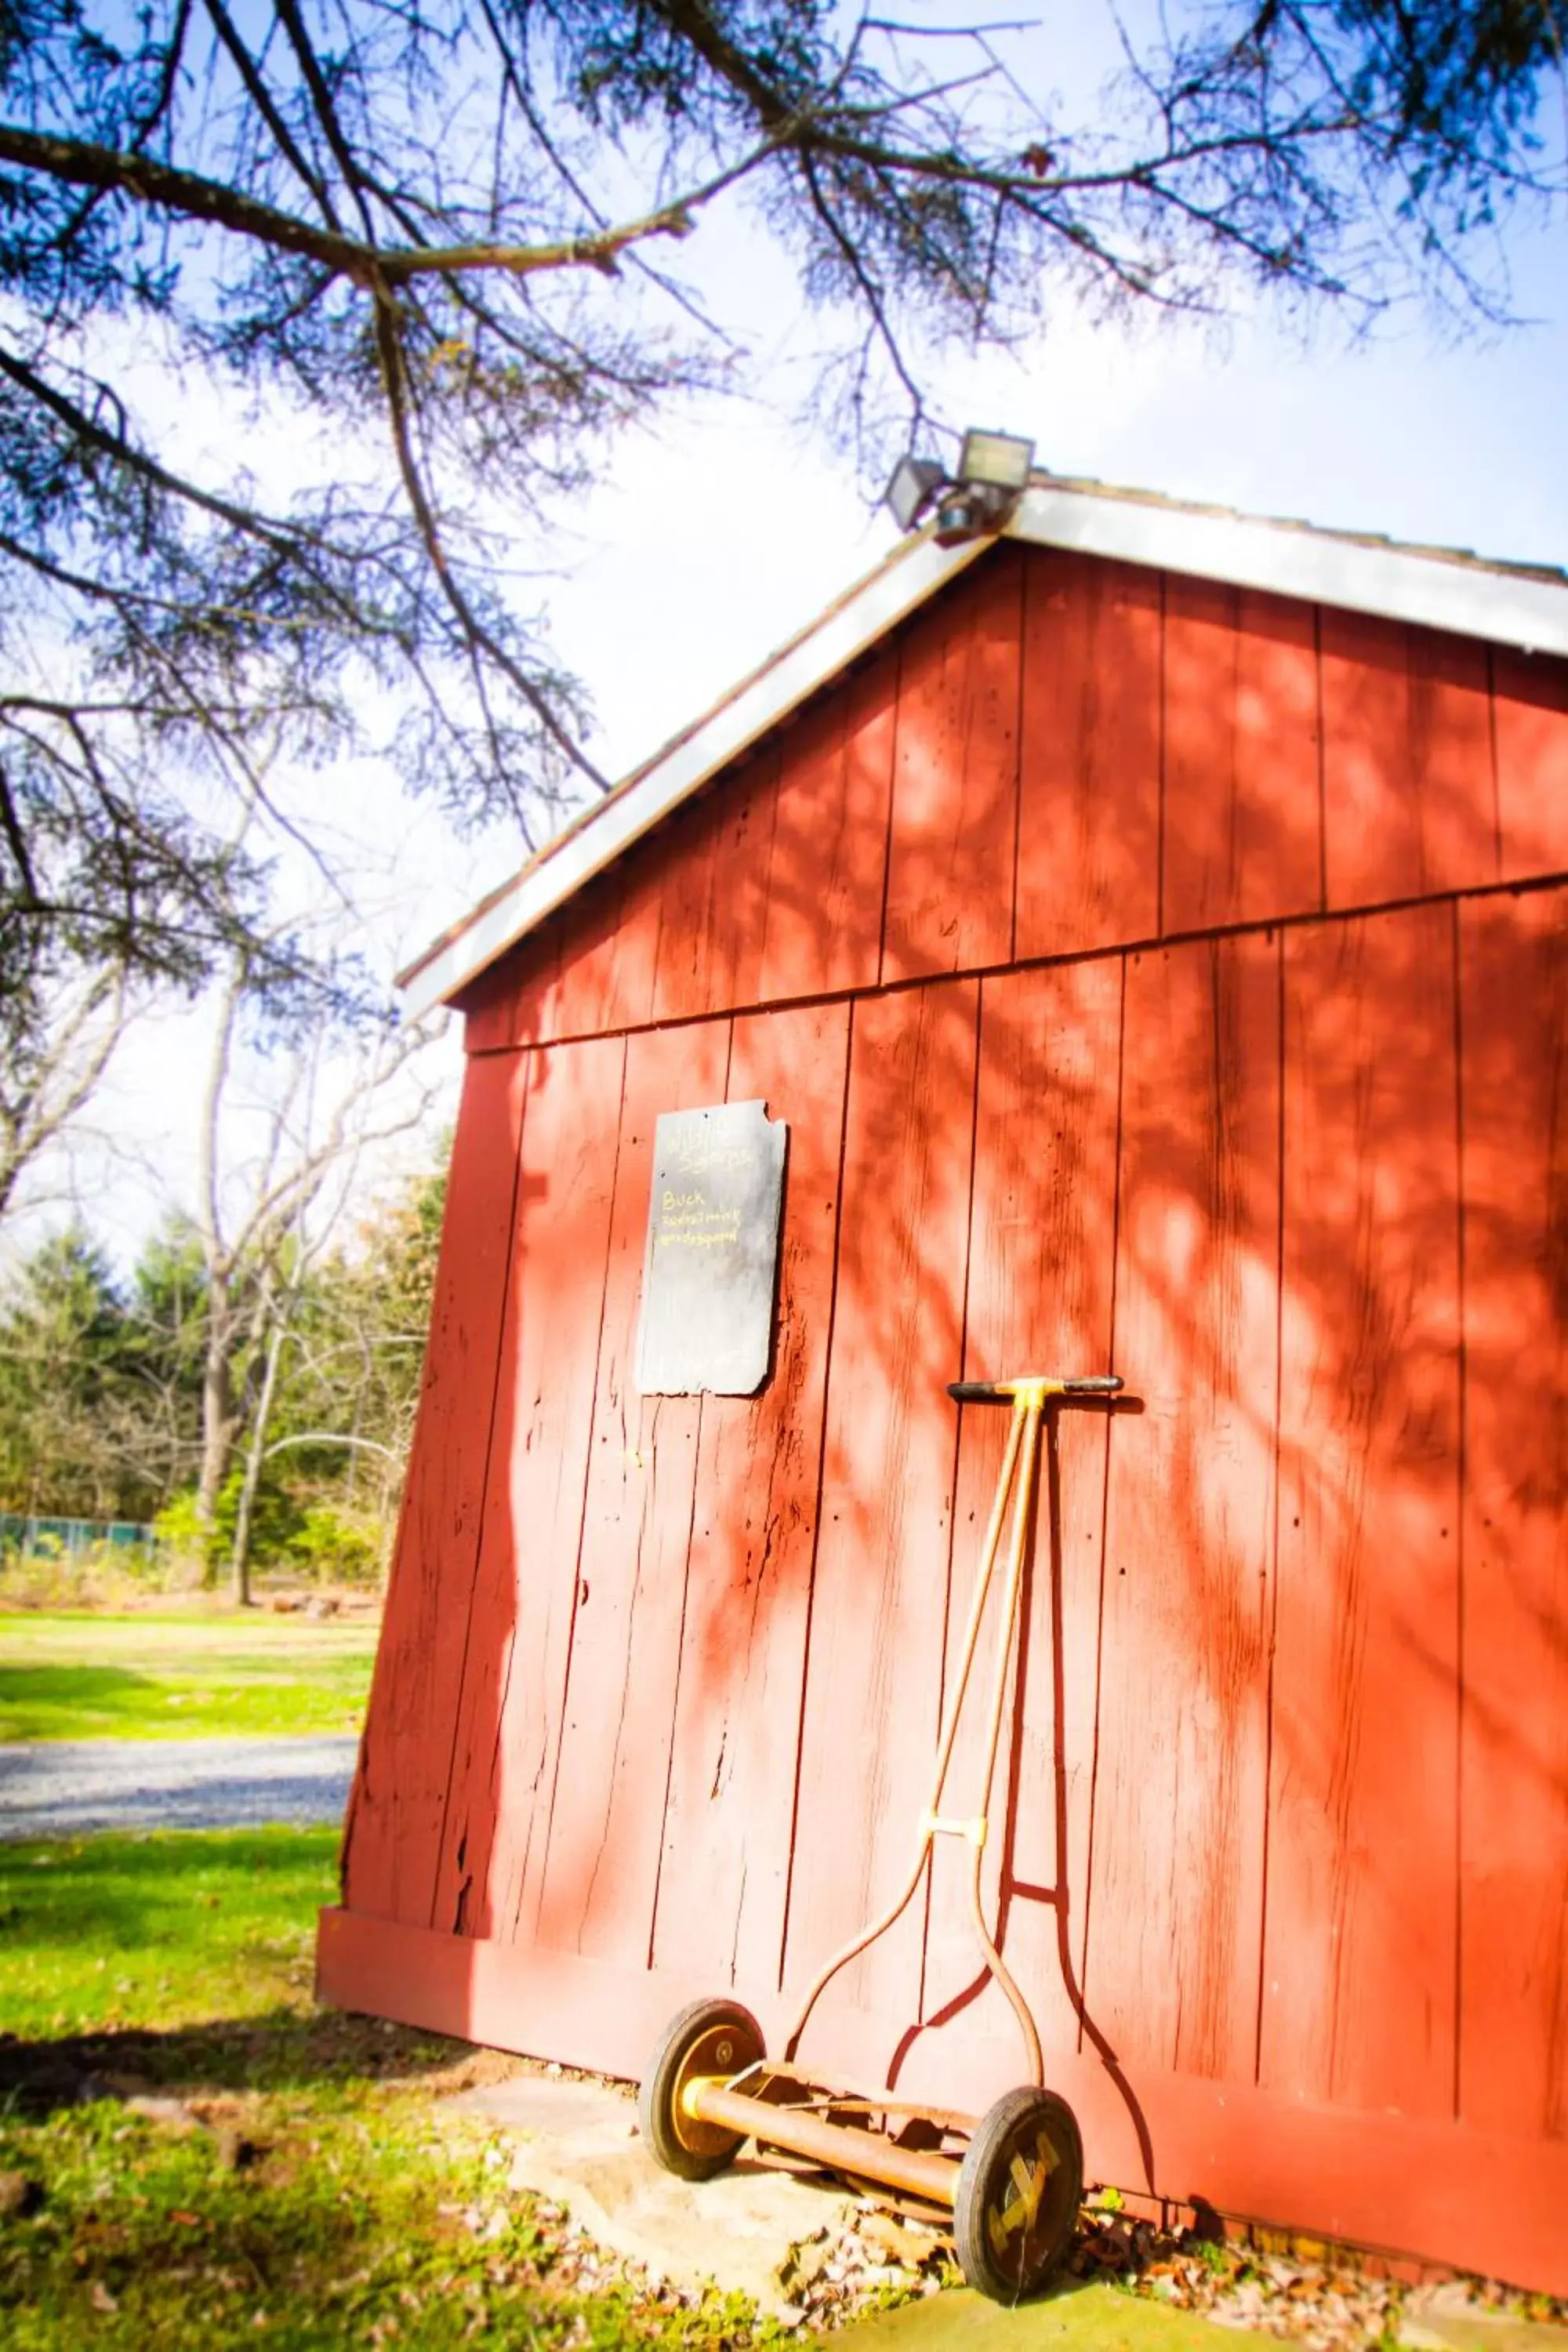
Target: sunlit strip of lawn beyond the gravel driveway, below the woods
{"points": [[163, 1678]]}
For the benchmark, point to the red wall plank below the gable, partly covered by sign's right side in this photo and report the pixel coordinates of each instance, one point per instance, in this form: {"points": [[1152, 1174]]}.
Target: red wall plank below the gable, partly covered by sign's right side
{"points": [[753, 1535]]}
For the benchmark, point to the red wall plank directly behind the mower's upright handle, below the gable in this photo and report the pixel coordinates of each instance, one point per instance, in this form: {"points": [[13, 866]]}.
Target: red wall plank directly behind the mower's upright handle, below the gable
{"points": [[1040, 1299]]}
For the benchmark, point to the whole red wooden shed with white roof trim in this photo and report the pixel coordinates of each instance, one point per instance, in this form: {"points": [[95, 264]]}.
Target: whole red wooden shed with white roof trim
{"points": [[1153, 928]]}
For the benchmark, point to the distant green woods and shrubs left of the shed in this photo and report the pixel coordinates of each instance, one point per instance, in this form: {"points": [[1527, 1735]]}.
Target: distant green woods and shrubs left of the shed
{"points": [[102, 1394]]}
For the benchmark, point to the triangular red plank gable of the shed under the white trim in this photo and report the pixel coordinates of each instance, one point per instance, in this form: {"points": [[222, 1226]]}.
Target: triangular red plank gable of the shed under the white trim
{"points": [[1057, 756]]}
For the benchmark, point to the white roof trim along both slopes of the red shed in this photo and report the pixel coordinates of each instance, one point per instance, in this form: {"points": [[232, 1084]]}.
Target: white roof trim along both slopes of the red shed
{"points": [[1289, 559]]}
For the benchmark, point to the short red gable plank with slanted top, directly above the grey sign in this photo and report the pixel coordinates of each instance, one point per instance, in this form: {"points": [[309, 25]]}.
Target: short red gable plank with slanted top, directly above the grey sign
{"points": [[716, 895]]}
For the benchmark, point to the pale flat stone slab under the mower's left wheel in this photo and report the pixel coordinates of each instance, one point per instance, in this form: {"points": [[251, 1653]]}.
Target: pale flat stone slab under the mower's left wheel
{"points": [[579, 2144]]}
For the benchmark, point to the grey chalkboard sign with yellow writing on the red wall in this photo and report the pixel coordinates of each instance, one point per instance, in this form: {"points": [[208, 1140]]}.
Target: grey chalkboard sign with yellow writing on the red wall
{"points": [[711, 1267]]}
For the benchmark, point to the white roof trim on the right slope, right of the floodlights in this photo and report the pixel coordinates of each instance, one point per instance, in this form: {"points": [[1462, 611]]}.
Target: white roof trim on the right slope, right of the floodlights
{"points": [[1294, 559]]}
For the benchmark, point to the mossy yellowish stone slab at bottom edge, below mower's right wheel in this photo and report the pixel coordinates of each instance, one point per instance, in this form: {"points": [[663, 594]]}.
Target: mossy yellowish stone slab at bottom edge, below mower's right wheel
{"points": [[1090, 2318]]}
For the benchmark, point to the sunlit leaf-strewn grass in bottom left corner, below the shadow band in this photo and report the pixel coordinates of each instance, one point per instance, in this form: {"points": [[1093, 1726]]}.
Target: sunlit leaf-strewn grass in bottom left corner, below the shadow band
{"points": [[321, 2217]]}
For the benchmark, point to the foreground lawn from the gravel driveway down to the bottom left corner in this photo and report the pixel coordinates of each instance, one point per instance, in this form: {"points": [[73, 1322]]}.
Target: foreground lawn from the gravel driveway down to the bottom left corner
{"points": [[215, 2163]]}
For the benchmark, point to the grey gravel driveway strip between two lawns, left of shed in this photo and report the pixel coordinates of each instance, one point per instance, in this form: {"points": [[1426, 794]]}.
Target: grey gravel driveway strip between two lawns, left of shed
{"points": [[58, 1789]]}
